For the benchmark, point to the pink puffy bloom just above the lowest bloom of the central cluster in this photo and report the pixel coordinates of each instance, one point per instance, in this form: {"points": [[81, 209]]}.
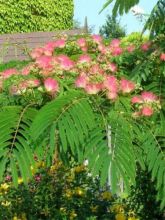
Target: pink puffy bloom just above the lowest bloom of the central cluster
{"points": [[111, 84]]}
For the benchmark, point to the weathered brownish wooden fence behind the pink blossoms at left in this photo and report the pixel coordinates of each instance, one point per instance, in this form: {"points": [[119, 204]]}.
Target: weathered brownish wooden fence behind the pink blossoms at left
{"points": [[16, 46]]}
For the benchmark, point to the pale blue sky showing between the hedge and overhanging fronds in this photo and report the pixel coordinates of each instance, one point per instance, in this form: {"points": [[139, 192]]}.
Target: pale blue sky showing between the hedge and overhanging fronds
{"points": [[91, 8]]}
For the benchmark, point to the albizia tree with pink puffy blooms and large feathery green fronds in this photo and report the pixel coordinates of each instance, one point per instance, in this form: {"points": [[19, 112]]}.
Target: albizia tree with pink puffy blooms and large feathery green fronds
{"points": [[86, 100]]}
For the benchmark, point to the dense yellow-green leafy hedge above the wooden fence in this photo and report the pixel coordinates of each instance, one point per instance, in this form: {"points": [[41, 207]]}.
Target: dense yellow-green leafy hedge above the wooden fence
{"points": [[37, 15]]}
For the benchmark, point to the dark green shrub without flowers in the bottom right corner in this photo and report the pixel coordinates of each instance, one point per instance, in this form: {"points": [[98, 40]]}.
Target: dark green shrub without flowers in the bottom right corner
{"points": [[142, 199]]}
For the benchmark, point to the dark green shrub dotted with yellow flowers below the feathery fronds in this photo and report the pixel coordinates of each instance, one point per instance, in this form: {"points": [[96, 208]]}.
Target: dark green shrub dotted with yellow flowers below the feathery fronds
{"points": [[59, 193]]}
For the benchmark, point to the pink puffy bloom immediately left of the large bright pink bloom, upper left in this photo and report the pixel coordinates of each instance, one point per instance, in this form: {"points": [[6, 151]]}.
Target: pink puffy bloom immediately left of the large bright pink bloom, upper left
{"points": [[44, 62]]}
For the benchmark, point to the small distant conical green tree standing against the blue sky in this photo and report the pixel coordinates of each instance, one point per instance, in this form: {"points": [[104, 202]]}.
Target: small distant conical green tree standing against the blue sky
{"points": [[112, 28]]}
